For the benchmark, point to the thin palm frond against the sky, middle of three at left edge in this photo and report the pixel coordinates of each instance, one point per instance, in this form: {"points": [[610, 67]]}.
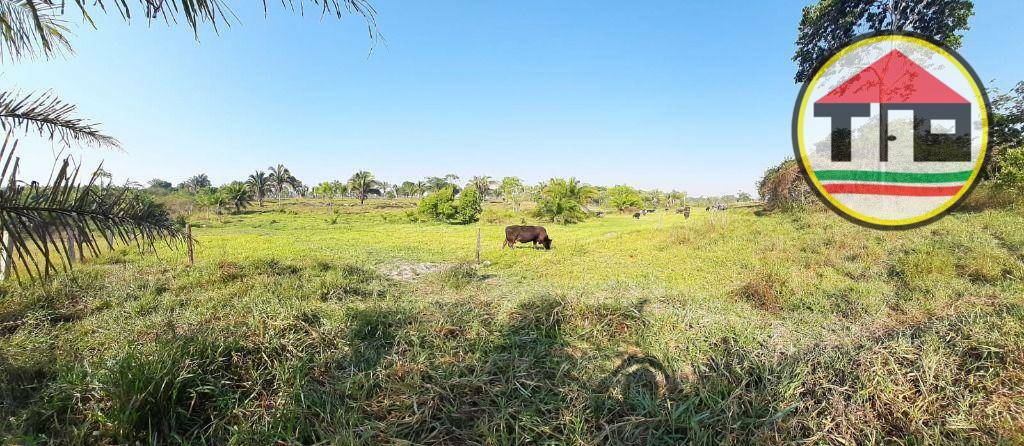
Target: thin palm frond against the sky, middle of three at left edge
{"points": [[51, 117]]}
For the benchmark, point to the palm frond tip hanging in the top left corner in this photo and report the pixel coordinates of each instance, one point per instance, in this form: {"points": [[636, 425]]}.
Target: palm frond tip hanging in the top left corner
{"points": [[30, 29]]}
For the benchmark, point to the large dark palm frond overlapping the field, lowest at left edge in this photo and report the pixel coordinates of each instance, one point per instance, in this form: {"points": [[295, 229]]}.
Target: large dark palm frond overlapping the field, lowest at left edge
{"points": [[49, 224]]}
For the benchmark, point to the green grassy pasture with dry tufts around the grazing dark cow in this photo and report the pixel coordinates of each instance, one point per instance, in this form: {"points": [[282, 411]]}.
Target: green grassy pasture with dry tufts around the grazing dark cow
{"points": [[347, 325]]}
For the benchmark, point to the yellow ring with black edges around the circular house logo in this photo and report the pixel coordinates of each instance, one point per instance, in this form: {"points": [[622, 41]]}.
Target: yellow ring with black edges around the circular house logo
{"points": [[982, 104]]}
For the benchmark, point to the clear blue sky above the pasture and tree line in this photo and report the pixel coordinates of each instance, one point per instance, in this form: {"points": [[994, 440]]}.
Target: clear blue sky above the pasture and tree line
{"points": [[646, 95]]}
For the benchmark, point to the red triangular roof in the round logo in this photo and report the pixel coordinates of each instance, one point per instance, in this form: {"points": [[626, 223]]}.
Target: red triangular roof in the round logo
{"points": [[893, 79]]}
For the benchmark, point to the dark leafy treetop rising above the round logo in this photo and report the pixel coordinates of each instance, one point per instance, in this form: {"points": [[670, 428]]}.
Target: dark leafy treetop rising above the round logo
{"points": [[830, 25]]}
